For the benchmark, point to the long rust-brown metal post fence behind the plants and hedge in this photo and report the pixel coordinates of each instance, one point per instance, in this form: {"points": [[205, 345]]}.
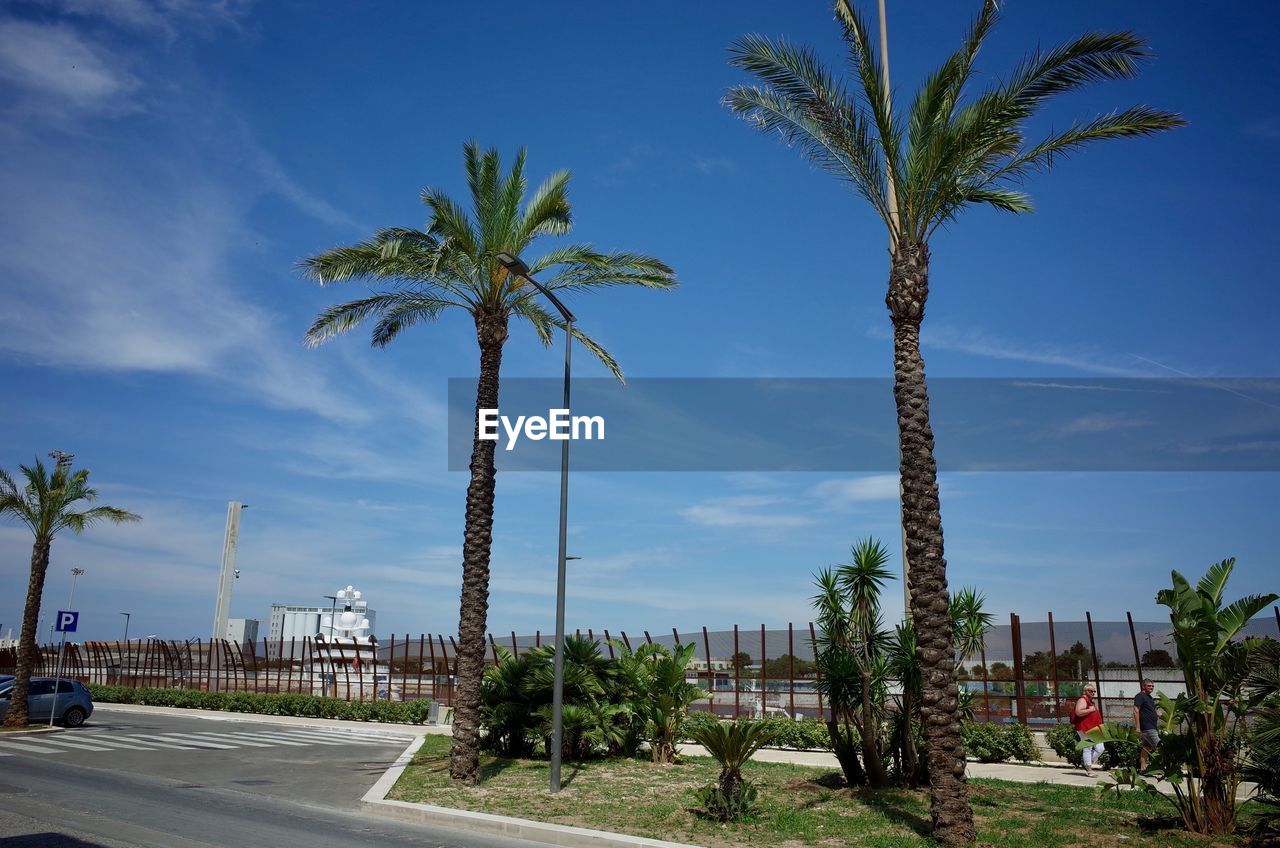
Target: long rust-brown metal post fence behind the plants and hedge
{"points": [[1027, 672]]}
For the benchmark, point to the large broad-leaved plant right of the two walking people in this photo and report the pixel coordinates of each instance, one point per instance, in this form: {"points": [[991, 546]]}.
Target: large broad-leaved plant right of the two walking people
{"points": [[1203, 727]]}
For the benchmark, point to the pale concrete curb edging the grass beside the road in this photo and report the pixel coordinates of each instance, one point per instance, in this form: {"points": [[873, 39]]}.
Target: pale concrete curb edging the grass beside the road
{"points": [[483, 823]]}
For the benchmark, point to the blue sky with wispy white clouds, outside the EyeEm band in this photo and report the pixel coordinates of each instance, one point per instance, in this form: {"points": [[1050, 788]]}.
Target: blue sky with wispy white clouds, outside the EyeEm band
{"points": [[164, 165]]}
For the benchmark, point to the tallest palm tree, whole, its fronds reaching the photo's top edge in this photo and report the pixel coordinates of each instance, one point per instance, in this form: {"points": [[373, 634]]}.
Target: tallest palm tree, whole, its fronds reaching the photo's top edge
{"points": [[949, 153]]}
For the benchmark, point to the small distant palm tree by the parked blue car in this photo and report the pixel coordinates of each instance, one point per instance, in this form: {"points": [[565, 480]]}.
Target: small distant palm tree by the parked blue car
{"points": [[45, 505]]}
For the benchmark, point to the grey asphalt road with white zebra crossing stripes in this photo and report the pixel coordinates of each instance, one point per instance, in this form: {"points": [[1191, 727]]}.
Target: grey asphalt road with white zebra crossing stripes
{"points": [[150, 781]]}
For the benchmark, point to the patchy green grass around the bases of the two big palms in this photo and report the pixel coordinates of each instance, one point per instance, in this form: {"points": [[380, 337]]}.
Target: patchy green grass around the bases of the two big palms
{"points": [[799, 806]]}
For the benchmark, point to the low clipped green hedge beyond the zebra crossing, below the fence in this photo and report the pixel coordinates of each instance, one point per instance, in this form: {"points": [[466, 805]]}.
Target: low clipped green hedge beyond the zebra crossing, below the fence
{"points": [[269, 705]]}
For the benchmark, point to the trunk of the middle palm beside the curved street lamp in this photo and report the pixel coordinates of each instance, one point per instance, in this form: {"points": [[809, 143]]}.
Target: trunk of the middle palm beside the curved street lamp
{"points": [[478, 539]]}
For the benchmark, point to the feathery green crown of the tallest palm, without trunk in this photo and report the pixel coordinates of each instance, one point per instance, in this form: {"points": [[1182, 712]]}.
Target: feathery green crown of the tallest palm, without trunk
{"points": [[952, 151]]}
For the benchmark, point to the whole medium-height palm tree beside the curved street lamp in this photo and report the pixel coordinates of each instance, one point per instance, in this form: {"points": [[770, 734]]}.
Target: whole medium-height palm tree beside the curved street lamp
{"points": [[451, 265]]}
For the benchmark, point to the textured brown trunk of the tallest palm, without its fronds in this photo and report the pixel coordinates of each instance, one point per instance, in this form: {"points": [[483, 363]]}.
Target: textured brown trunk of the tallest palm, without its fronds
{"points": [[949, 795]]}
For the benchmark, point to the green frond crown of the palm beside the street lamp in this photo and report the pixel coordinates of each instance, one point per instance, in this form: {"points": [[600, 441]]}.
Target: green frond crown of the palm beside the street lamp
{"points": [[452, 262]]}
